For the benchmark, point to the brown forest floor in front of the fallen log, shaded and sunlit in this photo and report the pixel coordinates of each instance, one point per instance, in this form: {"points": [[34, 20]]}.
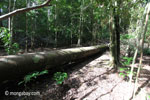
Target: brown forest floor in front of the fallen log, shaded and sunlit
{"points": [[92, 79]]}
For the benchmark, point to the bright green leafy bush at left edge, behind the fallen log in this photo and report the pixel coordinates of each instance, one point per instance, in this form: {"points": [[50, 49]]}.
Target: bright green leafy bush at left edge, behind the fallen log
{"points": [[10, 48]]}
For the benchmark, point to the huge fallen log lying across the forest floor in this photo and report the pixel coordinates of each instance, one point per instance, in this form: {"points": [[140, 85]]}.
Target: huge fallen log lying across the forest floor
{"points": [[14, 66]]}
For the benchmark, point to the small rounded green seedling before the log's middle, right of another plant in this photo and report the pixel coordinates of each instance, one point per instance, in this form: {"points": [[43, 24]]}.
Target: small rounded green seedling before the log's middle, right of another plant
{"points": [[59, 77]]}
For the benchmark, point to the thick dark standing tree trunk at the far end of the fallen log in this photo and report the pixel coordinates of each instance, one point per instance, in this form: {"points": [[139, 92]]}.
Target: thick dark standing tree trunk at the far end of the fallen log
{"points": [[115, 35]]}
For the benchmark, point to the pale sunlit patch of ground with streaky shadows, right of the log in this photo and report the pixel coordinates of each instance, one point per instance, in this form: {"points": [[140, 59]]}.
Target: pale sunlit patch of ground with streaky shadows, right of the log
{"points": [[97, 83]]}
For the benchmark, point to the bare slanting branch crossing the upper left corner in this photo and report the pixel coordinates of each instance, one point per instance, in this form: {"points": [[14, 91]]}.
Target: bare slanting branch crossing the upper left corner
{"points": [[23, 10]]}
